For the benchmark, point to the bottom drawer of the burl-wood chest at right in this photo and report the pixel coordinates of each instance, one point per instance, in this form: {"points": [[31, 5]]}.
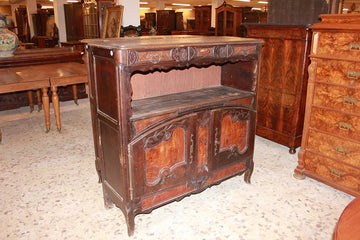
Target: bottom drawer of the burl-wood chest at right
{"points": [[333, 171]]}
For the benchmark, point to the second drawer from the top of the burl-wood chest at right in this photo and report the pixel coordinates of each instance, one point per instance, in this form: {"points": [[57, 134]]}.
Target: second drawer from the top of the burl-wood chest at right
{"points": [[345, 73]]}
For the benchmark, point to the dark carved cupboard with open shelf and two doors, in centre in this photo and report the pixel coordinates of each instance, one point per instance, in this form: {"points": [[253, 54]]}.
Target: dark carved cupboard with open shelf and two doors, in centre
{"points": [[172, 115]]}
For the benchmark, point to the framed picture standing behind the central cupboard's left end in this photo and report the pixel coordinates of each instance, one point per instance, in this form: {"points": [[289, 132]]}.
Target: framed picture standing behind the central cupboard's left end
{"points": [[112, 22]]}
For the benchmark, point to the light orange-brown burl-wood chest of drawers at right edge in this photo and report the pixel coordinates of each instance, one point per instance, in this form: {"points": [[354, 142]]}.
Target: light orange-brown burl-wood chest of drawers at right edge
{"points": [[330, 150]]}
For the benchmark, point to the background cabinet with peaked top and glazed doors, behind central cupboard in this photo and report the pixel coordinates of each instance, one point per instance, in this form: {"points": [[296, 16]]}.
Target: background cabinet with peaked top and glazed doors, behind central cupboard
{"points": [[228, 20]]}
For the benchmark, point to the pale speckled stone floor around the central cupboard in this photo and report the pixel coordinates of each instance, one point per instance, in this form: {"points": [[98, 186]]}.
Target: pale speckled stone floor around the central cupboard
{"points": [[49, 190]]}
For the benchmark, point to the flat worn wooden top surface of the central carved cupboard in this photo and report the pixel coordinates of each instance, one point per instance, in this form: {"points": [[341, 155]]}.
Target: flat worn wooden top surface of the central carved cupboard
{"points": [[155, 42]]}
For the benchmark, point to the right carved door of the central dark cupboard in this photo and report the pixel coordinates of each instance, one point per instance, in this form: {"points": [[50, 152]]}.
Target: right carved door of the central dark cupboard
{"points": [[231, 134]]}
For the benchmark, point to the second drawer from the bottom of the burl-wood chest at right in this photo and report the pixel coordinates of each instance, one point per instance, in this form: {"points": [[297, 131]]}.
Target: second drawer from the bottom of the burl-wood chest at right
{"points": [[334, 147]]}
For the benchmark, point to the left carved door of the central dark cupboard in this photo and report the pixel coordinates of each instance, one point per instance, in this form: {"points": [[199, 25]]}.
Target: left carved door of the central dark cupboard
{"points": [[161, 157]]}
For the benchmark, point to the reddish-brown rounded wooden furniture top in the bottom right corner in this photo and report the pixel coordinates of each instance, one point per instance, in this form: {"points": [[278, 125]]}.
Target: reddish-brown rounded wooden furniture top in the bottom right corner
{"points": [[348, 226]]}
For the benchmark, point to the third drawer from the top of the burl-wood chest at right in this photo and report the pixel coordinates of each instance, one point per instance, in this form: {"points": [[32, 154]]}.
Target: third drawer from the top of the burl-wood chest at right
{"points": [[337, 97]]}
